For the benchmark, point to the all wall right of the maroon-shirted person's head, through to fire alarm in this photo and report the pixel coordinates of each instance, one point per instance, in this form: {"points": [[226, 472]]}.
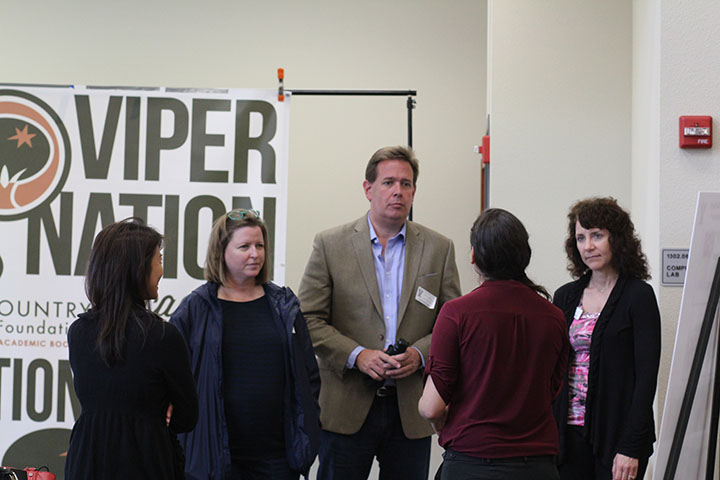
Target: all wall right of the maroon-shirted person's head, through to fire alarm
{"points": [[585, 98]]}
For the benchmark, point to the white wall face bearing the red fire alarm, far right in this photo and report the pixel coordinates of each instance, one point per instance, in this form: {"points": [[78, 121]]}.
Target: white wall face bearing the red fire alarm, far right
{"points": [[688, 86]]}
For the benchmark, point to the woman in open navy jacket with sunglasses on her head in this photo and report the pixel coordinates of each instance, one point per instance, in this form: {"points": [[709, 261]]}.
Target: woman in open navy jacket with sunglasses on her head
{"points": [[255, 369]]}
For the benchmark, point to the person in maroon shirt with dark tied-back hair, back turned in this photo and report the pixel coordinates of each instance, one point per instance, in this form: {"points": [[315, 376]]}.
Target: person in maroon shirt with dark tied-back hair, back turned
{"points": [[497, 360]]}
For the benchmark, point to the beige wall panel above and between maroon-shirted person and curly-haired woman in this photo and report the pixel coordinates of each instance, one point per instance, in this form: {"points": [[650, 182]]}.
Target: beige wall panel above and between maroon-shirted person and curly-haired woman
{"points": [[559, 77]]}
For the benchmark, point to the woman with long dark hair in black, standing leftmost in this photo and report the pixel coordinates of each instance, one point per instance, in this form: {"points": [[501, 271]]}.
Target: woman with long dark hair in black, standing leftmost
{"points": [[131, 369]]}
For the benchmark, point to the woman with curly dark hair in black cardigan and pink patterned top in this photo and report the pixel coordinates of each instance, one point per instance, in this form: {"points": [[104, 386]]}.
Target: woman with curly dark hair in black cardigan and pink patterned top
{"points": [[604, 413]]}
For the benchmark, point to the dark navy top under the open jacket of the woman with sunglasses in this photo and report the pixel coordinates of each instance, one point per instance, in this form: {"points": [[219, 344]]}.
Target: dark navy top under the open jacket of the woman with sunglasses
{"points": [[253, 380]]}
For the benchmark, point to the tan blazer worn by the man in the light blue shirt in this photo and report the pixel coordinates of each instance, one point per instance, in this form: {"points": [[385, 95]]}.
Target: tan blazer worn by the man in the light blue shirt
{"points": [[341, 303]]}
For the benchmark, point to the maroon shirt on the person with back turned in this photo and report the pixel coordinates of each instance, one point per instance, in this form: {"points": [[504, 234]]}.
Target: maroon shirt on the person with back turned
{"points": [[498, 357]]}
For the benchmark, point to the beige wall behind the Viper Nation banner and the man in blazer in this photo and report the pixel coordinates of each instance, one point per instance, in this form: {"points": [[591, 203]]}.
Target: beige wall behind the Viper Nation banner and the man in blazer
{"points": [[436, 48]]}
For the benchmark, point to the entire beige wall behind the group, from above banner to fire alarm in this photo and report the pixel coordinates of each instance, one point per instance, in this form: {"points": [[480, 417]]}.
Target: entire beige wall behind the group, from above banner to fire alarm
{"points": [[584, 98]]}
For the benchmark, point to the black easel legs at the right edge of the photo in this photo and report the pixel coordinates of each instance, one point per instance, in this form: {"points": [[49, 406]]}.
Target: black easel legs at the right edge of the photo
{"points": [[691, 389]]}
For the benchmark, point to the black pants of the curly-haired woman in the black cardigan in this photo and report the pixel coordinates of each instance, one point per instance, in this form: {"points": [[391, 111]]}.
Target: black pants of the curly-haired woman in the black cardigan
{"points": [[581, 464]]}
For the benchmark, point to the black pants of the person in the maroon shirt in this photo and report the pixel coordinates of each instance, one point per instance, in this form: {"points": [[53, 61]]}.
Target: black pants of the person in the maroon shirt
{"points": [[458, 466]]}
